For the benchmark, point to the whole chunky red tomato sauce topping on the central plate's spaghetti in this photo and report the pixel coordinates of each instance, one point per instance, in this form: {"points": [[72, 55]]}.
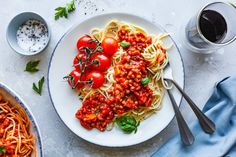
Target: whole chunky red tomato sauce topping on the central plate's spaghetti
{"points": [[127, 92]]}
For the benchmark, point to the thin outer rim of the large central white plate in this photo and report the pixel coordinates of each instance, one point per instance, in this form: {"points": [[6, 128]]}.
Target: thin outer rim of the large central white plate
{"points": [[96, 16]]}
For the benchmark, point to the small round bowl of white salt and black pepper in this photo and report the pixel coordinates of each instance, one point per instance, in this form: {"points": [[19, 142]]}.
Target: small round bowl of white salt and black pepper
{"points": [[28, 33]]}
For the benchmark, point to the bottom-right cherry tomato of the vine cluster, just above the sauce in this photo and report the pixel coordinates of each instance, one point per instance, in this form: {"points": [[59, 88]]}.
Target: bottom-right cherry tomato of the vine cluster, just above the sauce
{"points": [[96, 77]]}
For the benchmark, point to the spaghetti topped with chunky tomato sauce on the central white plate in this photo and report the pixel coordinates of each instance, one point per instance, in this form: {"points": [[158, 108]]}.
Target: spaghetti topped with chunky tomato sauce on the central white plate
{"points": [[126, 94]]}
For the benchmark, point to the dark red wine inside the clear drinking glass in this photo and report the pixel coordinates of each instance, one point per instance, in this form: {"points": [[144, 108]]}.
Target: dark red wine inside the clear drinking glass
{"points": [[213, 26]]}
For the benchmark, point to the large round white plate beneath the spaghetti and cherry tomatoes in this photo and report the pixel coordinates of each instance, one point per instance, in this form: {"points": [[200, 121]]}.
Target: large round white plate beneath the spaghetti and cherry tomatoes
{"points": [[66, 102]]}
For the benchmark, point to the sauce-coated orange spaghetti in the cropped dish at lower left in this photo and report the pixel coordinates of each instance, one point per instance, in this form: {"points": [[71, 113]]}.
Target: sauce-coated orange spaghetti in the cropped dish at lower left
{"points": [[15, 137]]}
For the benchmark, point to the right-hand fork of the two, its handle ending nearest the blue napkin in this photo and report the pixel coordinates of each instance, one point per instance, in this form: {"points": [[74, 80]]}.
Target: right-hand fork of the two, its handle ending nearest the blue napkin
{"points": [[206, 124]]}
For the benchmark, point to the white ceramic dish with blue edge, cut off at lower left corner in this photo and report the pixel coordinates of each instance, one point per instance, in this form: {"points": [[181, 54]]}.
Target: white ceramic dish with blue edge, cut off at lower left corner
{"points": [[9, 95]]}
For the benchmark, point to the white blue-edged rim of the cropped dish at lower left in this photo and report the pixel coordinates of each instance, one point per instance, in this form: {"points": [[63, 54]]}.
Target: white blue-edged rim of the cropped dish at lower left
{"points": [[29, 113]]}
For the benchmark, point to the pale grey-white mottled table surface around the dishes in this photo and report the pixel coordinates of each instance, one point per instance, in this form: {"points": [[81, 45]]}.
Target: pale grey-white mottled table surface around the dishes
{"points": [[202, 71]]}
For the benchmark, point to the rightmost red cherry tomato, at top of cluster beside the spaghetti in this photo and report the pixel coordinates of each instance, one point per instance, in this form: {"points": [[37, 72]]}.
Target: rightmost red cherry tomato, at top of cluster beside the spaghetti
{"points": [[110, 46]]}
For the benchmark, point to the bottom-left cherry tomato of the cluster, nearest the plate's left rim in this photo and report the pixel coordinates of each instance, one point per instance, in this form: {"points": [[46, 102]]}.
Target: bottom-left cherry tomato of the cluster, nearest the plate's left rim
{"points": [[74, 77]]}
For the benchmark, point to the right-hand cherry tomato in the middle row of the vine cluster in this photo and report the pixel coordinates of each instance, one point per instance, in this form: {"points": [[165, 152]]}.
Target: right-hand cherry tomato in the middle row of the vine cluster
{"points": [[101, 62]]}
